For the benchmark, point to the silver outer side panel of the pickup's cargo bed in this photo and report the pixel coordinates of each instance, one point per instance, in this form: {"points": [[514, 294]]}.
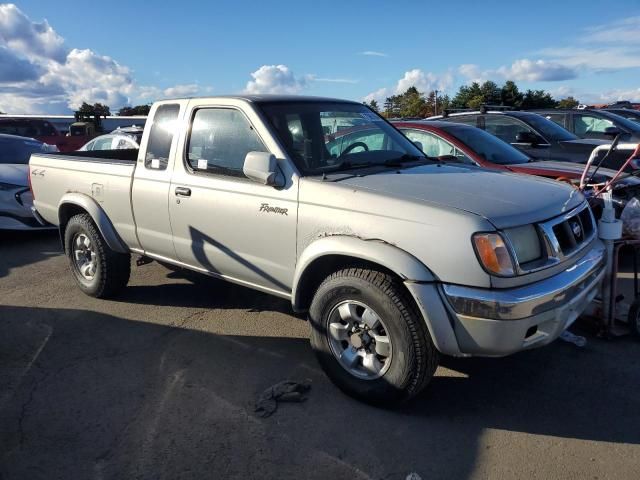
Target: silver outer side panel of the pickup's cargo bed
{"points": [[103, 176]]}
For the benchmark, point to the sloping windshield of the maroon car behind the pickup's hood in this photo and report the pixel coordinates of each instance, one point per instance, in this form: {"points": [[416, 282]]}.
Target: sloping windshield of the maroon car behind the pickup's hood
{"points": [[491, 148]]}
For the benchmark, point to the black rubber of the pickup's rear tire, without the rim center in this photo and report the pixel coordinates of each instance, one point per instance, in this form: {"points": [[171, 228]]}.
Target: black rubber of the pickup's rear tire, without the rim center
{"points": [[112, 269]]}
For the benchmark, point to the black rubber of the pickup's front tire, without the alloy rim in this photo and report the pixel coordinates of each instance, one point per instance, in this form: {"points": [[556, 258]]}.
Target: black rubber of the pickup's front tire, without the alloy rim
{"points": [[415, 357]]}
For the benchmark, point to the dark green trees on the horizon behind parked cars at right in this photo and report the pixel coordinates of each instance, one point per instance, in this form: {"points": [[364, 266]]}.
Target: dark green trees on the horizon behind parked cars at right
{"points": [[413, 103]]}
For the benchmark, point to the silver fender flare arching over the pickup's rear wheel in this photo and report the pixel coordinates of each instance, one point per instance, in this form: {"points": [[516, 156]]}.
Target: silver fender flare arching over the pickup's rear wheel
{"points": [[73, 203]]}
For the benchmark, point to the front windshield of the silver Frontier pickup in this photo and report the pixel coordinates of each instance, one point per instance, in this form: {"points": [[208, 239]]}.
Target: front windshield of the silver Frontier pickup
{"points": [[322, 137]]}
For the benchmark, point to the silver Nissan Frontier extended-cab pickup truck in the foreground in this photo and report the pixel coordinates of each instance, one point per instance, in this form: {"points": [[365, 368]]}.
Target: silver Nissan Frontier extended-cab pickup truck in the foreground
{"points": [[396, 257]]}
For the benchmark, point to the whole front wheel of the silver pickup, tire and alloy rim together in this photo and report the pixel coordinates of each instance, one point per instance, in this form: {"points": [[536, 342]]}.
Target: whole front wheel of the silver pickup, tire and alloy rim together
{"points": [[369, 337]]}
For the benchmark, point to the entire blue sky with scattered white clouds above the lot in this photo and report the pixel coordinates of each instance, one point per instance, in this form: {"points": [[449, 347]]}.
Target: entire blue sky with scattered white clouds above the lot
{"points": [[120, 52]]}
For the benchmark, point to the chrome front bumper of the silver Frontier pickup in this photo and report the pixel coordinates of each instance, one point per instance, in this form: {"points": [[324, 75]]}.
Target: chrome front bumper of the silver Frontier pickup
{"points": [[497, 322]]}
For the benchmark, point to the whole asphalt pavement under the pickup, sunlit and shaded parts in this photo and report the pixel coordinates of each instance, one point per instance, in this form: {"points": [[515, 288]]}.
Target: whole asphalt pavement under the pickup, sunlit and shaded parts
{"points": [[161, 383]]}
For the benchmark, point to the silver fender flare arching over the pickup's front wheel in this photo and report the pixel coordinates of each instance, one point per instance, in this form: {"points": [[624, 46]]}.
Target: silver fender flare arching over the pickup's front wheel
{"points": [[392, 258]]}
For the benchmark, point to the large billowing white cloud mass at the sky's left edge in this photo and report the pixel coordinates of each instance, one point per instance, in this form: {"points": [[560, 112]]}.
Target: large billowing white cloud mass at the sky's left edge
{"points": [[40, 74]]}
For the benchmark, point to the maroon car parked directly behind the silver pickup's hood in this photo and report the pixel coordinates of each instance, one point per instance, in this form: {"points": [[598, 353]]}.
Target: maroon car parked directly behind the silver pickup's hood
{"points": [[449, 141]]}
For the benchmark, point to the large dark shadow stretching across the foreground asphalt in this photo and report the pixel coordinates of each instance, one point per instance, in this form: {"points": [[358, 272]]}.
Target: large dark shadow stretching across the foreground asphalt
{"points": [[92, 395]]}
